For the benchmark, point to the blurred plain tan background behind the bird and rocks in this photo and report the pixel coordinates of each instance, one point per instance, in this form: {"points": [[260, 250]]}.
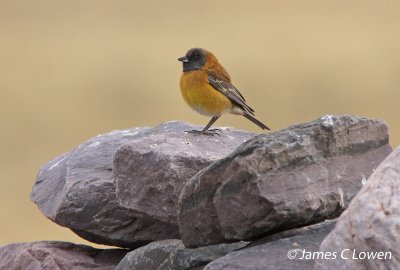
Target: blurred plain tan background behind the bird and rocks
{"points": [[70, 70]]}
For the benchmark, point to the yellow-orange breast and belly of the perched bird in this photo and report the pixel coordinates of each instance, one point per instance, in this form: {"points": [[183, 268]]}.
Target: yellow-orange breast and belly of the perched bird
{"points": [[201, 96]]}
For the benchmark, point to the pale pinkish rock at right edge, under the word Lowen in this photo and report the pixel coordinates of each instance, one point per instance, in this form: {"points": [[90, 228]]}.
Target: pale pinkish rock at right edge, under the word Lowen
{"points": [[371, 224]]}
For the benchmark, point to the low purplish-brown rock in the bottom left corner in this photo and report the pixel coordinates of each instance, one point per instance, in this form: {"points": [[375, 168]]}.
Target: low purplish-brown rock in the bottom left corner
{"points": [[57, 255]]}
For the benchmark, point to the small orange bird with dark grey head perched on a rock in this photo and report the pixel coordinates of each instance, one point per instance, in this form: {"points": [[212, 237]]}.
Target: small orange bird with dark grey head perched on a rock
{"points": [[206, 87]]}
